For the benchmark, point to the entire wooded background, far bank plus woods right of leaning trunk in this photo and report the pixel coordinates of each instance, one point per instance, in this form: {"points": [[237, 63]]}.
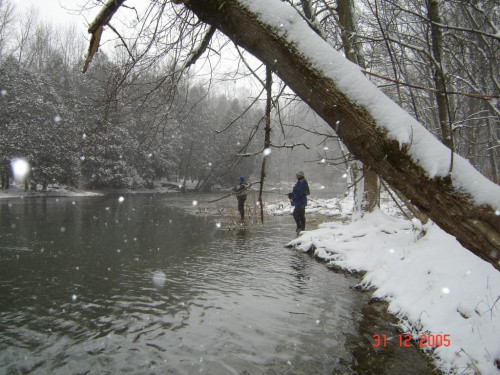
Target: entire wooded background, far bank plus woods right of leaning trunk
{"points": [[111, 128]]}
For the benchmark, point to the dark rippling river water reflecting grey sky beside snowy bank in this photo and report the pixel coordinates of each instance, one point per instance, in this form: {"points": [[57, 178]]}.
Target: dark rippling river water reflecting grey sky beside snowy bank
{"points": [[145, 285]]}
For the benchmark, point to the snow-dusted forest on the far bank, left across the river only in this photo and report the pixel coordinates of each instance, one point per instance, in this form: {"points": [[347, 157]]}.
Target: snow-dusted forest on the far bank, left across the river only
{"points": [[78, 129]]}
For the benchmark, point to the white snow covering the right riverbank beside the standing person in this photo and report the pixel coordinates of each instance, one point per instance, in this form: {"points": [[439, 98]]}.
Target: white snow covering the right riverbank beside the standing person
{"points": [[431, 283]]}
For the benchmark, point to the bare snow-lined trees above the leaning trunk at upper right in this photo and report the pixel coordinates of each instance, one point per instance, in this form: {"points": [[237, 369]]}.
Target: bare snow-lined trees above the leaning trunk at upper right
{"points": [[444, 61]]}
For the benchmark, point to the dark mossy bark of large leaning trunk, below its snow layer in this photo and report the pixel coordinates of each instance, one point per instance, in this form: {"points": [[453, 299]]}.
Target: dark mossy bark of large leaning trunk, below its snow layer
{"points": [[476, 227]]}
